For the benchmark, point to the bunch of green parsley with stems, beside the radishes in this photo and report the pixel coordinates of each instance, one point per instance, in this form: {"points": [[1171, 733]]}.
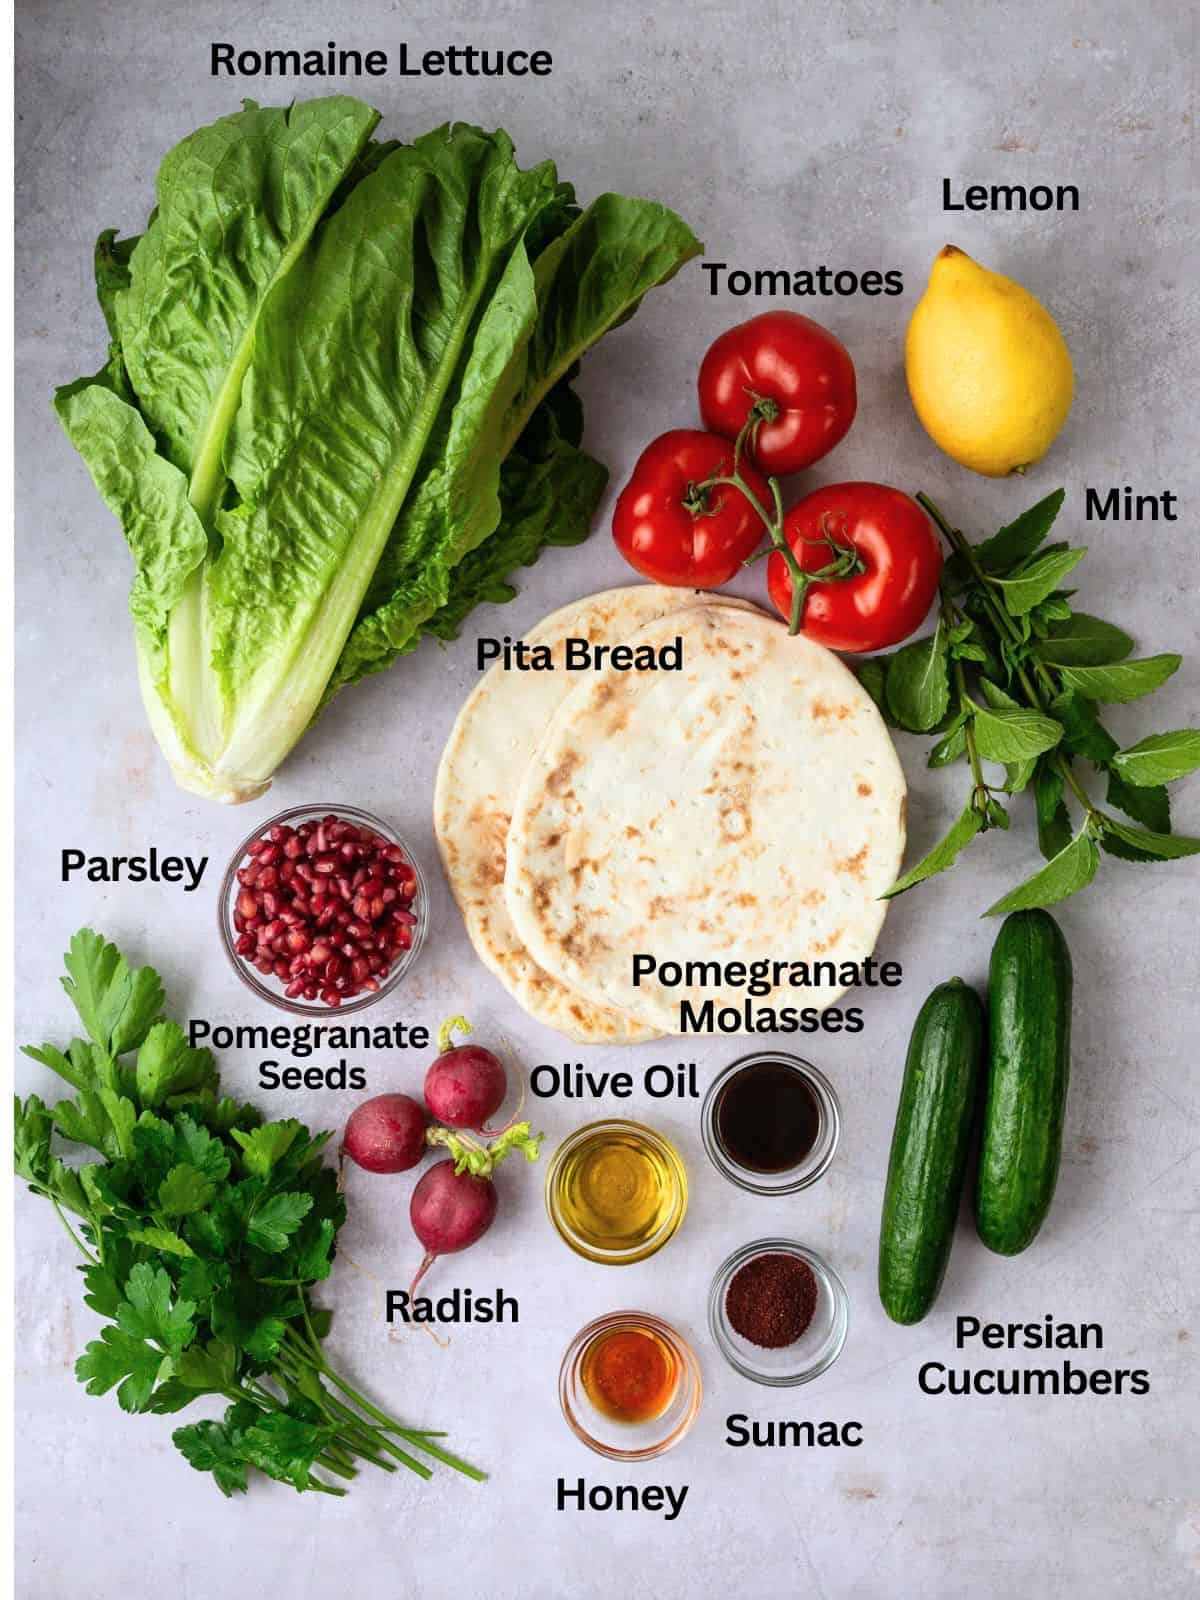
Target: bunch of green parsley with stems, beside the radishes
{"points": [[204, 1231]]}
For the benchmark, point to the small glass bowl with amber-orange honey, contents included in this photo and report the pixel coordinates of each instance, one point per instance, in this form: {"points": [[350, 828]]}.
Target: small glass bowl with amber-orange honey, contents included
{"points": [[630, 1386]]}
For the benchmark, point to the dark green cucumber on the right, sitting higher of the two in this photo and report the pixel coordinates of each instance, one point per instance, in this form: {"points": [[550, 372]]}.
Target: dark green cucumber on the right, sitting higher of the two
{"points": [[1030, 1004]]}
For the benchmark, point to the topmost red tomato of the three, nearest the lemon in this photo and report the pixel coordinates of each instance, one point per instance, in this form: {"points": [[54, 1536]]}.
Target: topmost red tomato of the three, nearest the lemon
{"points": [[793, 362]]}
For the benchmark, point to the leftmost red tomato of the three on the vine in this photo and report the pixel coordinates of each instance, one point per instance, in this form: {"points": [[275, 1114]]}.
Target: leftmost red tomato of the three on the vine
{"points": [[676, 535]]}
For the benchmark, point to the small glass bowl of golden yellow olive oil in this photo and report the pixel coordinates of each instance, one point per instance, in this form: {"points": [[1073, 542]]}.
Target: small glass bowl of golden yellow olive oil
{"points": [[617, 1191]]}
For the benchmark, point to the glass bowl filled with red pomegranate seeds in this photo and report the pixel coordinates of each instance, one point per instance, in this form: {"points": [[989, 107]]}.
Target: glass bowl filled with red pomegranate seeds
{"points": [[322, 910]]}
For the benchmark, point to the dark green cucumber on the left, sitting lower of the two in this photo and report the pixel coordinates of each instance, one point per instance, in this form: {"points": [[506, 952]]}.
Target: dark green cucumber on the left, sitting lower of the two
{"points": [[937, 1116]]}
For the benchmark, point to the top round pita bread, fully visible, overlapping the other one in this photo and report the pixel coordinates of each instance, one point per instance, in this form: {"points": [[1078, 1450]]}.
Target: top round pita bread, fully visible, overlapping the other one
{"points": [[750, 807]]}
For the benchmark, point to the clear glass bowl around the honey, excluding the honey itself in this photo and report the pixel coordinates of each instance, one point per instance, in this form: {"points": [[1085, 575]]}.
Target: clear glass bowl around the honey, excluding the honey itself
{"points": [[630, 1441]]}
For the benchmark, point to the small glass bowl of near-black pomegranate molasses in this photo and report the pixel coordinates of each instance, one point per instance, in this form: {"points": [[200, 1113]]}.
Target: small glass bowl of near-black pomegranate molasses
{"points": [[770, 1124]]}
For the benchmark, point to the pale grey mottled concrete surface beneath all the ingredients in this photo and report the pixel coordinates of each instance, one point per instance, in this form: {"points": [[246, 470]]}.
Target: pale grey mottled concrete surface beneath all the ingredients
{"points": [[788, 137]]}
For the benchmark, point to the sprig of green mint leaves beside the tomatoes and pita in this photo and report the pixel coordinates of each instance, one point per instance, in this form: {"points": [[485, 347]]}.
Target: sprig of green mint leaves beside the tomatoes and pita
{"points": [[1015, 676]]}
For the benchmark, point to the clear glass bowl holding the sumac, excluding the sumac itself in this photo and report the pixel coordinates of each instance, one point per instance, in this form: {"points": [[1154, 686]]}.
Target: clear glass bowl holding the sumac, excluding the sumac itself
{"points": [[818, 1346]]}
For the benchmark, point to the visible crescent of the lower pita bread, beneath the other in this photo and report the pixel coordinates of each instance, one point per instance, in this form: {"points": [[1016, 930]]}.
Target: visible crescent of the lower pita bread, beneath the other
{"points": [[479, 778]]}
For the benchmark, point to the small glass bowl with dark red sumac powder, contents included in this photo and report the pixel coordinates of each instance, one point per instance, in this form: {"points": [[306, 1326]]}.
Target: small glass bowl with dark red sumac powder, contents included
{"points": [[778, 1313]]}
